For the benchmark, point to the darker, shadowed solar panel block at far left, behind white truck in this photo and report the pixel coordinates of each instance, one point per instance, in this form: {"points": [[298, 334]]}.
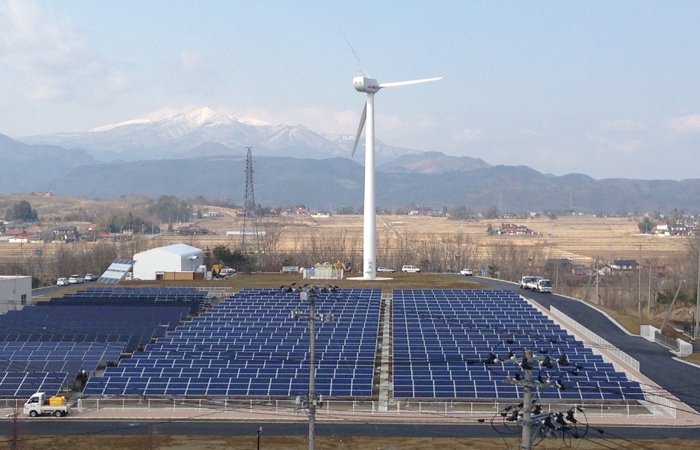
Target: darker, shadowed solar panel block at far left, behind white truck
{"points": [[43, 346]]}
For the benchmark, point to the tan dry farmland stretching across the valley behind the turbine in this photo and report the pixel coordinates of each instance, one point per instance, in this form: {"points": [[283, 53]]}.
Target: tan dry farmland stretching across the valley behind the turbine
{"points": [[448, 245]]}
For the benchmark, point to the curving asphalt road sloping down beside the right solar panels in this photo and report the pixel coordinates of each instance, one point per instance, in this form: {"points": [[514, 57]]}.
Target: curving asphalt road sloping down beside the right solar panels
{"points": [[655, 361]]}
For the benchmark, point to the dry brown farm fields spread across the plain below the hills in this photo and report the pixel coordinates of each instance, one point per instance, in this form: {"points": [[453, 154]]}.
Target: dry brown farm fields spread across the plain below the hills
{"points": [[580, 238]]}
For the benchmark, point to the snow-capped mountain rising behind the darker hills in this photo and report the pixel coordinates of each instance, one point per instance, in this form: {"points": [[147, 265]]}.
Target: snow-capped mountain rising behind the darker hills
{"points": [[182, 134]]}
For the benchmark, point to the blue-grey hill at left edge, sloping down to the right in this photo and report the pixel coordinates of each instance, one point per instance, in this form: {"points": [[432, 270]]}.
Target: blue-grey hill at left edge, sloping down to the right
{"points": [[23, 168]]}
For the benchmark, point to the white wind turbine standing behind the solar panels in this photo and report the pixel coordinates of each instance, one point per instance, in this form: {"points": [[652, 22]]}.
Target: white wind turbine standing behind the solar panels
{"points": [[371, 86]]}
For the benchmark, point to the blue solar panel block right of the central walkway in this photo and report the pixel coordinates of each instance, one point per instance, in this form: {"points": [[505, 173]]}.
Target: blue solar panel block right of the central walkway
{"points": [[442, 338]]}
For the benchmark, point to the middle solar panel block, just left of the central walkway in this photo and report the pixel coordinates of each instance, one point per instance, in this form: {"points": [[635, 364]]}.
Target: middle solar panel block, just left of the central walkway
{"points": [[249, 345]]}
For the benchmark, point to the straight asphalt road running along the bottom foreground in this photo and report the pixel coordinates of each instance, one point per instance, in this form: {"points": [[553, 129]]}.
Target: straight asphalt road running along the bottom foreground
{"points": [[64, 427]]}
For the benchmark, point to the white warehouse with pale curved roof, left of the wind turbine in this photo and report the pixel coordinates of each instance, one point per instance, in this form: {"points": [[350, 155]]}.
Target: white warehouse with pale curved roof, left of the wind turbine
{"points": [[172, 258]]}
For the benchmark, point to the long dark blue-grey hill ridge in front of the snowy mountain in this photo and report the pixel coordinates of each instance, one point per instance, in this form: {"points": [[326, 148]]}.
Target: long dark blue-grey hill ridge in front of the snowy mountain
{"points": [[338, 182]]}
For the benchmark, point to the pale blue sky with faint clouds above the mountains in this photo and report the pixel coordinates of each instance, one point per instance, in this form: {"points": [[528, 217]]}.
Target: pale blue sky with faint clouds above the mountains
{"points": [[609, 89]]}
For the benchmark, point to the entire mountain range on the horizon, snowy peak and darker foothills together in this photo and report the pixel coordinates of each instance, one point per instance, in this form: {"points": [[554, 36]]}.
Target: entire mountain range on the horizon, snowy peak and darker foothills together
{"points": [[200, 152]]}
